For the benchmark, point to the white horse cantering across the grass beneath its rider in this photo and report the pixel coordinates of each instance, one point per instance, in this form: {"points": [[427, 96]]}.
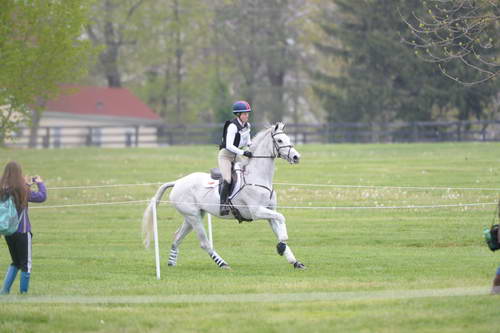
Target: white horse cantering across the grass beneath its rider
{"points": [[255, 200]]}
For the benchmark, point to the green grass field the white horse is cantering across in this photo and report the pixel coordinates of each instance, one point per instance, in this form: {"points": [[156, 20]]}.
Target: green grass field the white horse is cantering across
{"points": [[371, 269]]}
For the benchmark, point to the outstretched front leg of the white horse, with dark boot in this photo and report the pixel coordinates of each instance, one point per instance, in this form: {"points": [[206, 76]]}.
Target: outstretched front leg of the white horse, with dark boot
{"points": [[278, 225]]}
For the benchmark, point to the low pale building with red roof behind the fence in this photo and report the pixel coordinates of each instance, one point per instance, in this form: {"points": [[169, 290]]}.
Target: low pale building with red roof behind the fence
{"points": [[98, 116]]}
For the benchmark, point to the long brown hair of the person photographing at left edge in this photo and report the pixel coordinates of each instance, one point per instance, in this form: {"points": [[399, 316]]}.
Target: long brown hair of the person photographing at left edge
{"points": [[13, 183]]}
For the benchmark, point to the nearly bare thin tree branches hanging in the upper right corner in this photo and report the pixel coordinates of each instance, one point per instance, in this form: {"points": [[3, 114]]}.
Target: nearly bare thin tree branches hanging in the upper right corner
{"points": [[464, 31]]}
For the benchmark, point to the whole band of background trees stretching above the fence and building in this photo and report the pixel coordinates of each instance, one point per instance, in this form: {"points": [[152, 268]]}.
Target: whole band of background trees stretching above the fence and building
{"points": [[293, 60]]}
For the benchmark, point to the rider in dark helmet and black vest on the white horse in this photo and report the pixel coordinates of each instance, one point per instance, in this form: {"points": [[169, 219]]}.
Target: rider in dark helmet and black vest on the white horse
{"points": [[236, 135]]}
